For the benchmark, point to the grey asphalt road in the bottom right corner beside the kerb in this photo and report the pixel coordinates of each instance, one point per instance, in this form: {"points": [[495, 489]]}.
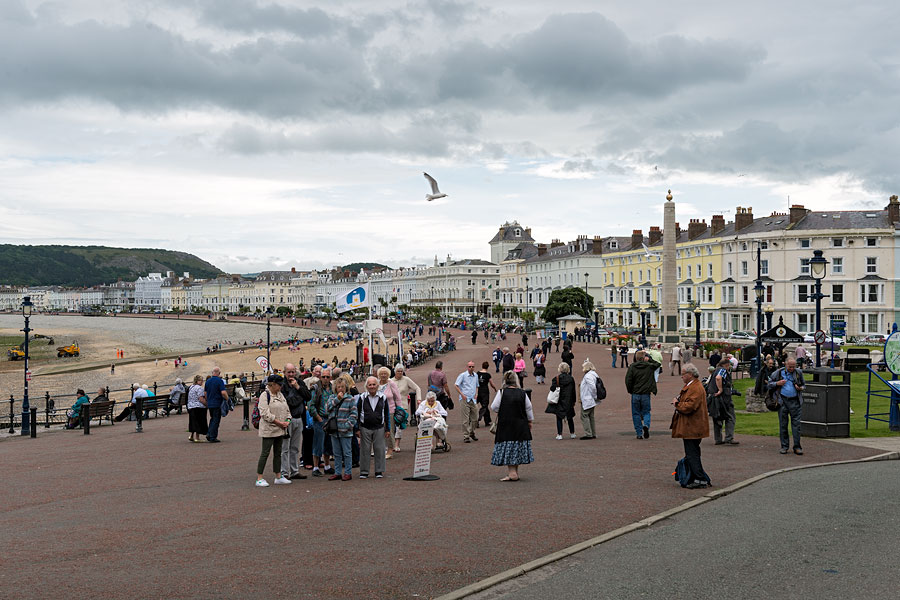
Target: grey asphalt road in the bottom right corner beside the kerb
{"points": [[830, 532]]}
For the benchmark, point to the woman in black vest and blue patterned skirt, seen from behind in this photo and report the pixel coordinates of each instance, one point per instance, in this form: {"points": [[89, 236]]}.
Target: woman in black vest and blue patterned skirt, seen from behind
{"points": [[512, 442]]}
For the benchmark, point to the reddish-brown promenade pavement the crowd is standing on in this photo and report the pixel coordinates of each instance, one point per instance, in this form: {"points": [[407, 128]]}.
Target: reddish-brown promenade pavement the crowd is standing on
{"points": [[152, 515]]}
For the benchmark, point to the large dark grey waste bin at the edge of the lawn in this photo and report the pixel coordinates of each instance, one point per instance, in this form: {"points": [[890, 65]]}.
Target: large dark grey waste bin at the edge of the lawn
{"points": [[826, 403]]}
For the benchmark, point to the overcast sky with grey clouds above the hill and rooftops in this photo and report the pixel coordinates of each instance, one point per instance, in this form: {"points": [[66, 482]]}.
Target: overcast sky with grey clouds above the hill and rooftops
{"points": [[276, 134]]}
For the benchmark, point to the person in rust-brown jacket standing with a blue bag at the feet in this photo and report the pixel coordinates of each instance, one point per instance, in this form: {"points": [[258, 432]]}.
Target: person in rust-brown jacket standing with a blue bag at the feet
{"points": [[691, 423]]}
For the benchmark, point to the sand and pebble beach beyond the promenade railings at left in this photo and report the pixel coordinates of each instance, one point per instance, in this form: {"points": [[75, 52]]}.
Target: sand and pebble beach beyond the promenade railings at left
{"points": [[156, 340]]}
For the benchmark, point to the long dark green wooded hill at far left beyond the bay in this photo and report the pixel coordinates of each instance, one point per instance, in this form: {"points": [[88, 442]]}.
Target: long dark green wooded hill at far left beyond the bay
{"points": [[78, 266]]}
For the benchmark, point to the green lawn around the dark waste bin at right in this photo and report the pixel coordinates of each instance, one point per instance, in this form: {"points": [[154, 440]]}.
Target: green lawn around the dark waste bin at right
{"points": [[767, 423]]}
